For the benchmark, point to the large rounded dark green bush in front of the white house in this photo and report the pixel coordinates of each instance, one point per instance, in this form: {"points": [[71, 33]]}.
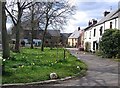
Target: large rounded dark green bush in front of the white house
{"points": [[110, 44]]}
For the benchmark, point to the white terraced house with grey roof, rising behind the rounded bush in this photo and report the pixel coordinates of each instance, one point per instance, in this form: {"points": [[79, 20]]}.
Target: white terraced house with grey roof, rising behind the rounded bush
{"points": [[109, 21]]}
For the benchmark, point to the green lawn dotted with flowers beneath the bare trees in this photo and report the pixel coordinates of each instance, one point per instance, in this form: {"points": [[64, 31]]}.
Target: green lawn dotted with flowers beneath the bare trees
{"points": [[32, 65]]}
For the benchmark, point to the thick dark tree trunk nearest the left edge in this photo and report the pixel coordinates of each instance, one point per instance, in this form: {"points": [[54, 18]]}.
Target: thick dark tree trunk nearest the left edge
{"points": [[5, 41]]}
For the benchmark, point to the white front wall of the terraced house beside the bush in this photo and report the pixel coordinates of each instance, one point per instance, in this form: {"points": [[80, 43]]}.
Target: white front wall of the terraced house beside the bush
{"points": [[97, 37]]}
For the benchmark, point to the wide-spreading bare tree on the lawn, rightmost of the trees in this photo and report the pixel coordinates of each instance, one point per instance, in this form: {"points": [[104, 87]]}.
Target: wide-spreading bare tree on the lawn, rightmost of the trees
{"points": [[53, 15]]}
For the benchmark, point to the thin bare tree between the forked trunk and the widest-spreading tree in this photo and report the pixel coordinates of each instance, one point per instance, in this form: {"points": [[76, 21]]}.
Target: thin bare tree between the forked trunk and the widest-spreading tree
{"points": [[30, 19]]}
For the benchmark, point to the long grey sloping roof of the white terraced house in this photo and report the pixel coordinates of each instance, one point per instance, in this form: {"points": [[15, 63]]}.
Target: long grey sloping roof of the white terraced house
{"points": [[110, 16]]}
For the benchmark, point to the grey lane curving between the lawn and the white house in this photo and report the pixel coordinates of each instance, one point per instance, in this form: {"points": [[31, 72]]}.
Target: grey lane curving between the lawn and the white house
{"points": [[101, 71]]}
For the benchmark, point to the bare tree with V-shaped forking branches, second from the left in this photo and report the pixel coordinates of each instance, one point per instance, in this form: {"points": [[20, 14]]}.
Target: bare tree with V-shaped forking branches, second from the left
{"points": [[16, 15]]}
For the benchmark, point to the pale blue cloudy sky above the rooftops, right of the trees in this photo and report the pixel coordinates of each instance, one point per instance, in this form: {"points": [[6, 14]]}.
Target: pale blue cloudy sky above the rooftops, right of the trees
{"points": [[88, 10]]}
